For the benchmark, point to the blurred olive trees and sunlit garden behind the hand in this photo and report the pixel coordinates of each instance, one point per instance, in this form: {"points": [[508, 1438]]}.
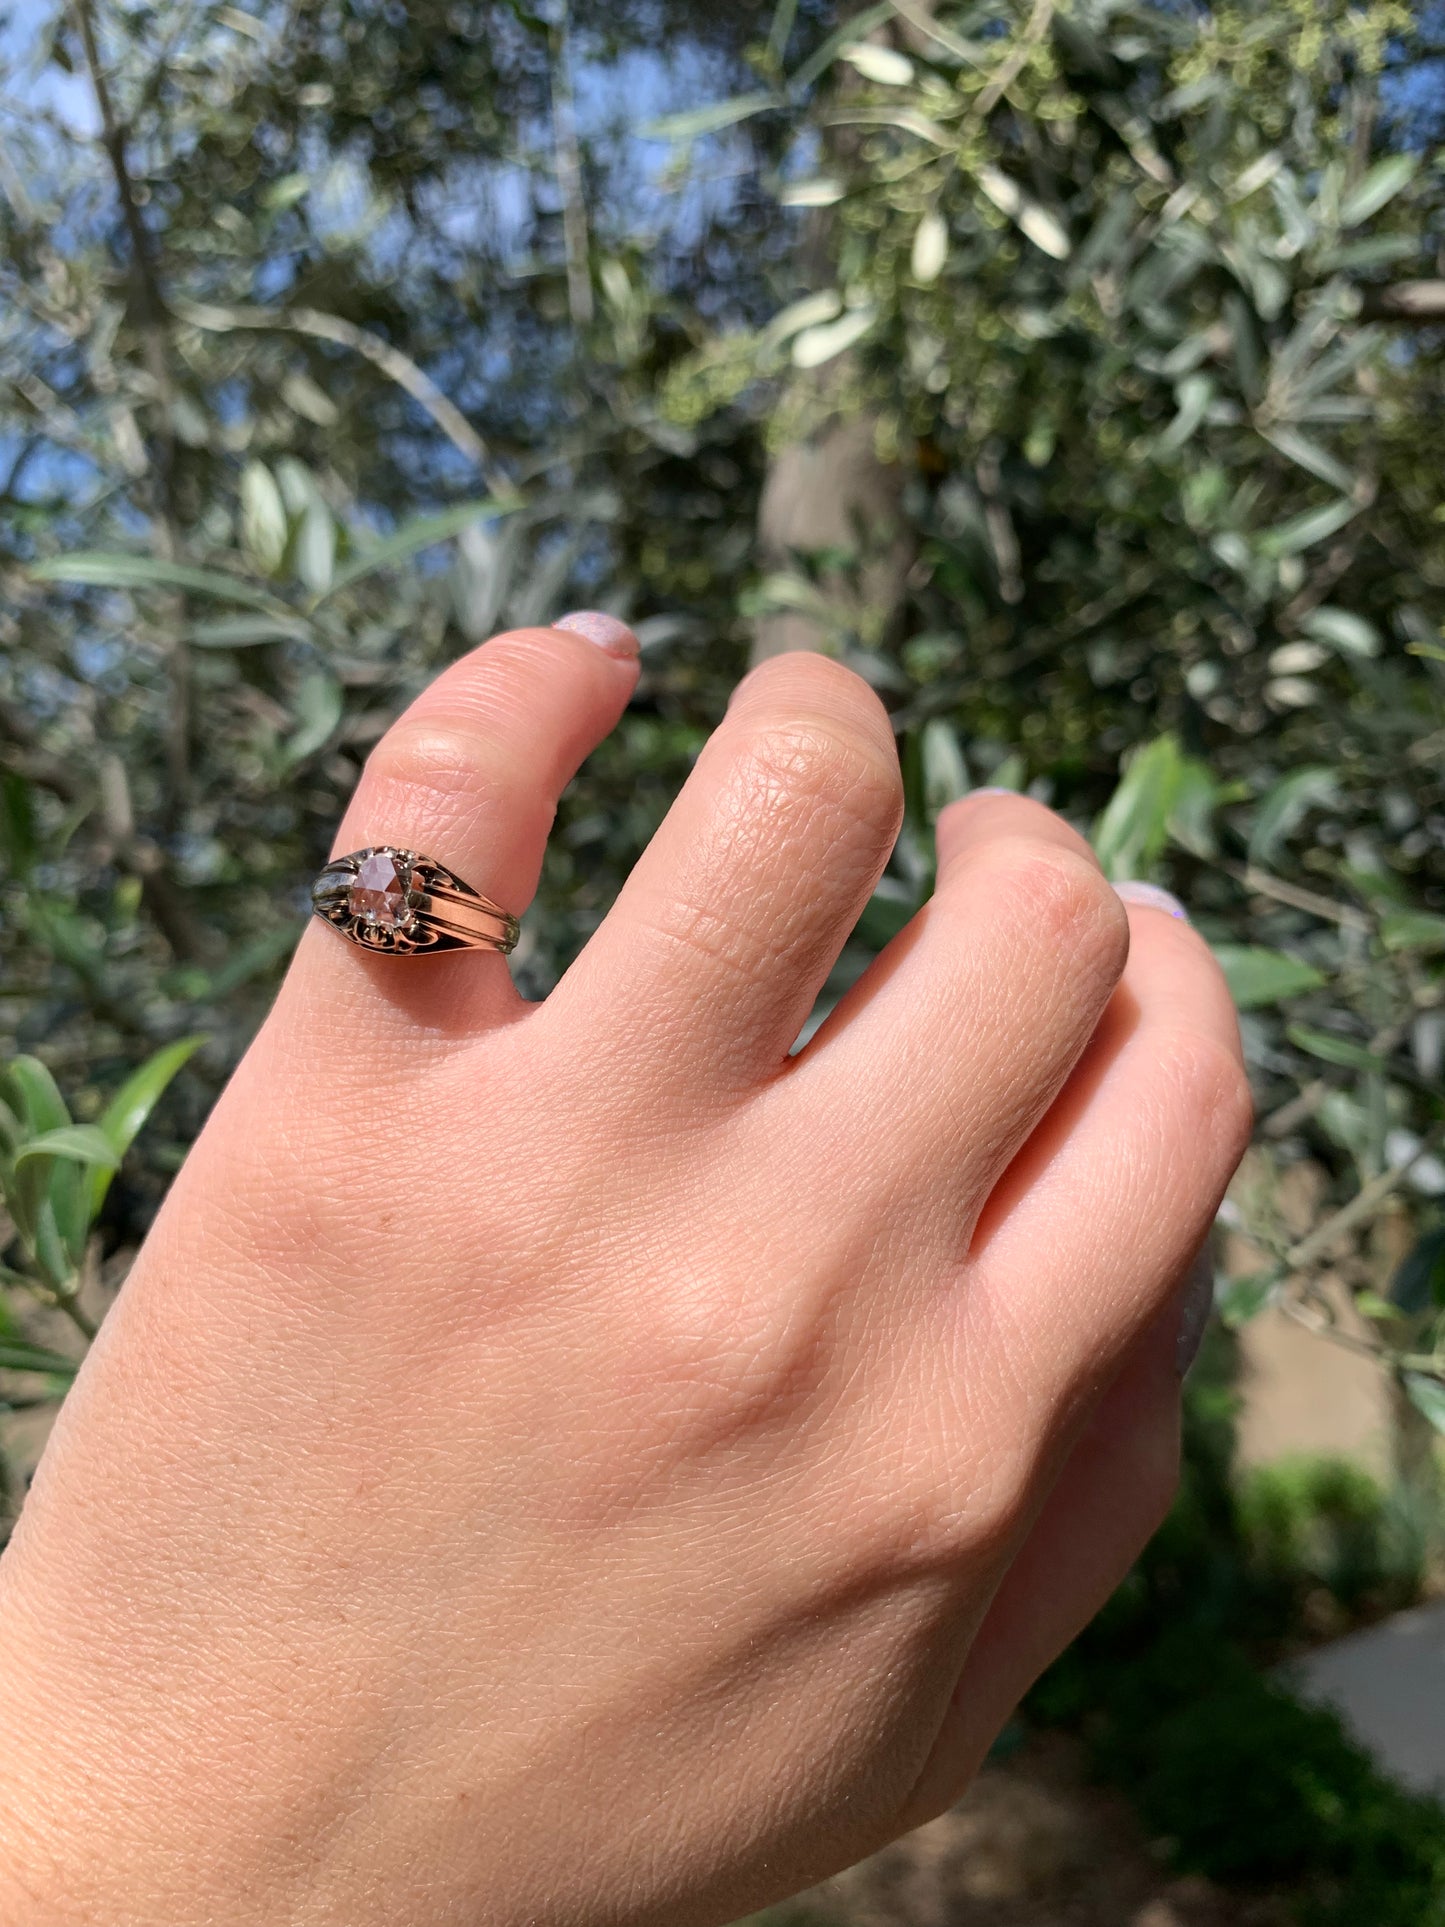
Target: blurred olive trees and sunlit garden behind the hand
{"points": [[1066, 367]]}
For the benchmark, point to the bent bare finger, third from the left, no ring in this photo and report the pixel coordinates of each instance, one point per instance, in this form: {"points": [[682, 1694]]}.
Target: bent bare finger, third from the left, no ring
{"points": [[960, 1036]]}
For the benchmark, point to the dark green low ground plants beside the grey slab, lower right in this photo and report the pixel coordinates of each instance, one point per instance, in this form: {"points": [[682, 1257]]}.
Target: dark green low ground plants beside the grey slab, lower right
{"points": [[1176, 1697]]}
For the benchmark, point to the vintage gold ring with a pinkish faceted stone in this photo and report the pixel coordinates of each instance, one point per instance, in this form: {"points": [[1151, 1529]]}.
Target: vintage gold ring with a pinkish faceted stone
{"points": [[407, 905]]}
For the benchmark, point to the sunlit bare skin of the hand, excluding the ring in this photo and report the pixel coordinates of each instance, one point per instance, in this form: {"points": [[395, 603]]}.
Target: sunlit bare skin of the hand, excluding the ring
{"points": [[581, 1464]]}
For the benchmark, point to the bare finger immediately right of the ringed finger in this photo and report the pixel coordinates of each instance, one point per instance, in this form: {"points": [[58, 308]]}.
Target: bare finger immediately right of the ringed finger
{"points": [[727, 928]]}
